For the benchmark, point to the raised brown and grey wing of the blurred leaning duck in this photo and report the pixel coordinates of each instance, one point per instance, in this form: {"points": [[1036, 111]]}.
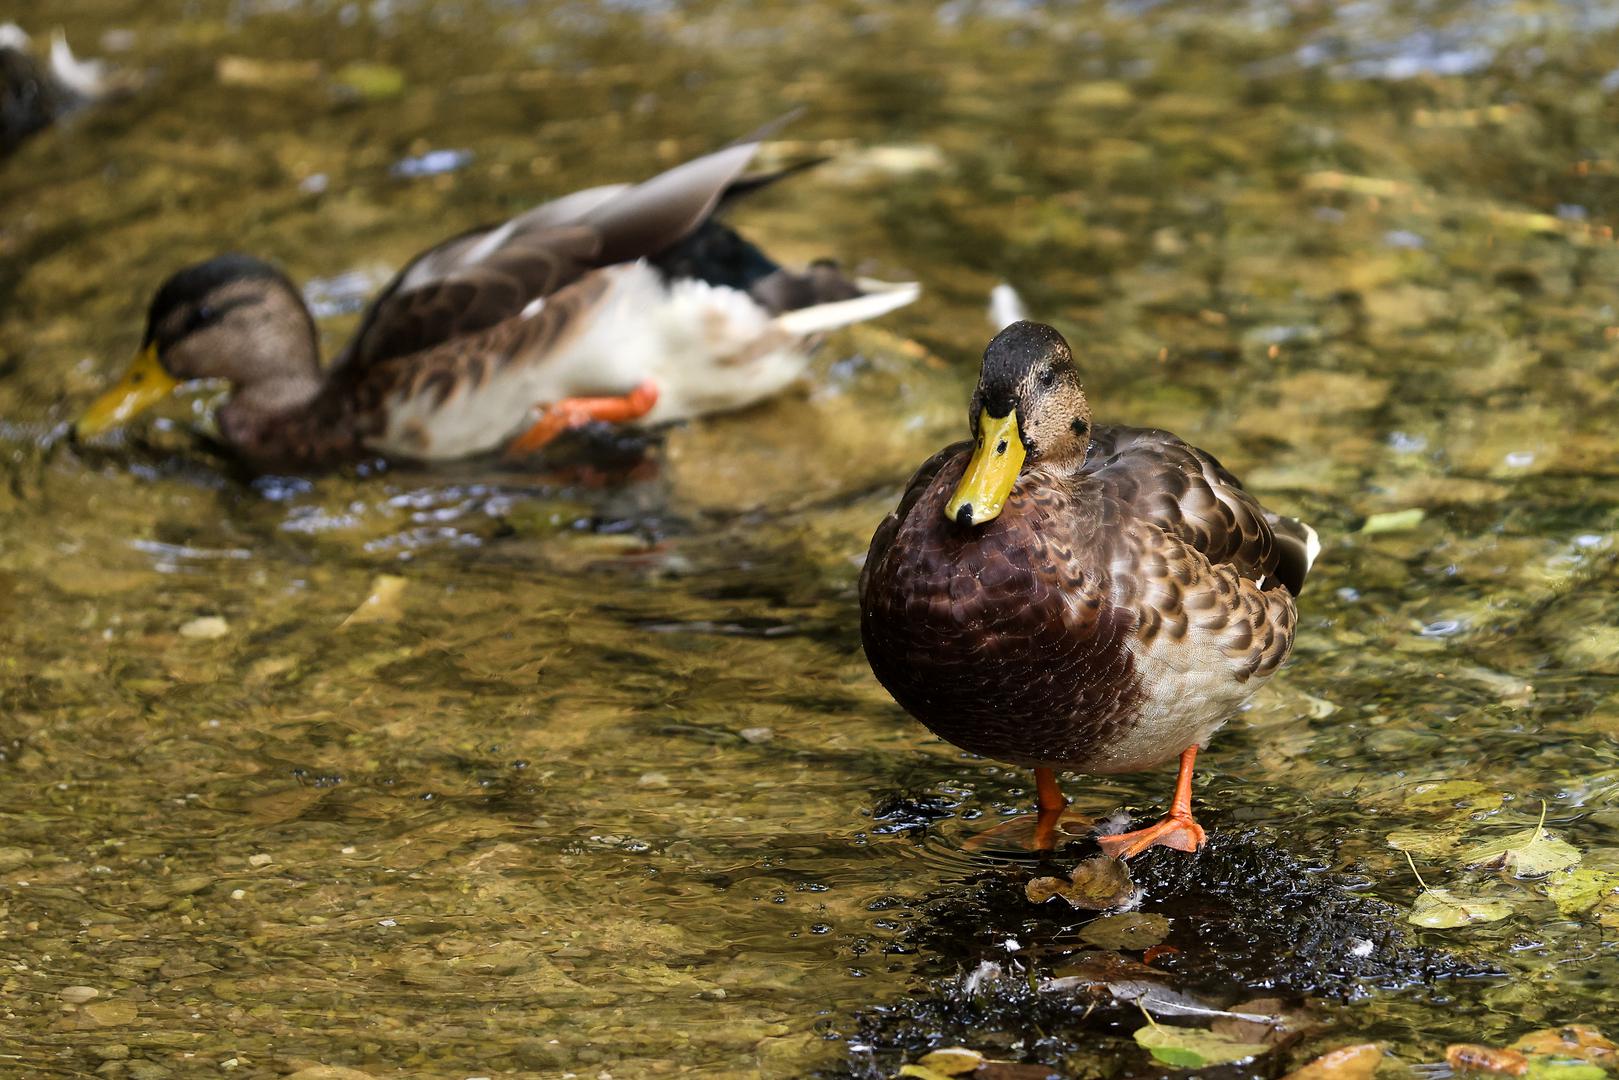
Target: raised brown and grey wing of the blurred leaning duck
{"points": [[488, 276]]}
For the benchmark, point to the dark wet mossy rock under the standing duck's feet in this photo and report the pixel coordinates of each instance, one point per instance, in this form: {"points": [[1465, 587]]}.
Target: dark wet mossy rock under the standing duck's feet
{"points": [[1246, 921]]}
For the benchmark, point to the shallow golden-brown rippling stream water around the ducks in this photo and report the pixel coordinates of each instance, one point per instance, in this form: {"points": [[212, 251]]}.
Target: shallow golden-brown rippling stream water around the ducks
{"points": [[601, 797]]}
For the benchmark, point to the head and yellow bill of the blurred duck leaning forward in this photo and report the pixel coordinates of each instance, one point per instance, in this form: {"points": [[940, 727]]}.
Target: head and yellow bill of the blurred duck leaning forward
{"points": [[232, 318]]}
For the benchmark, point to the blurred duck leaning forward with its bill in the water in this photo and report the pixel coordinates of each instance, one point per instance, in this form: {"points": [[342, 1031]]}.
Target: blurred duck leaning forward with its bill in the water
{"points": [[627, 304]]}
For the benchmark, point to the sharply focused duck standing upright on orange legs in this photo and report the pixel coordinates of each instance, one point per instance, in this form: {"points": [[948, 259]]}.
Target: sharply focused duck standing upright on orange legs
{"points": [[1076, 597]]}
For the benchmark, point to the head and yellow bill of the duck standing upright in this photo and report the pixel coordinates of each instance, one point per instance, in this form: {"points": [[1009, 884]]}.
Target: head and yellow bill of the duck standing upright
{"points": [[1029, 410]]}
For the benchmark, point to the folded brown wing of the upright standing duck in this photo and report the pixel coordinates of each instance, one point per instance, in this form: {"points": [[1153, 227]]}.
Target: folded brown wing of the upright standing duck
{"points": [[1191, 496]]}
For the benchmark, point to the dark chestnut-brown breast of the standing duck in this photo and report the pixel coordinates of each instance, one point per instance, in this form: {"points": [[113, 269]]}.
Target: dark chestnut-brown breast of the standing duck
{"points": [[1000, 639]]}
